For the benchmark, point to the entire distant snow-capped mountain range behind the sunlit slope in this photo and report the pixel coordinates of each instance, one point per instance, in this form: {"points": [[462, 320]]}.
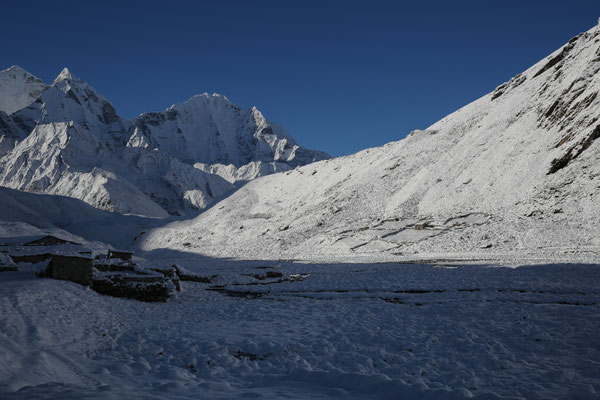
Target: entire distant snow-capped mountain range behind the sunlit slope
{"points": [[67, 139]]}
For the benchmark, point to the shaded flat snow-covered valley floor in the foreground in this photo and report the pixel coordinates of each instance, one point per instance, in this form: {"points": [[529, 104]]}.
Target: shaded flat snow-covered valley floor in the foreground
{"points": [[317, 331]]}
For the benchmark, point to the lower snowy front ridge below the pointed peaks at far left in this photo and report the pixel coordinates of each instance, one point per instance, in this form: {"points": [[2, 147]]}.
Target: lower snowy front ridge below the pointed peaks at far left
{"points": [[65, 158]]}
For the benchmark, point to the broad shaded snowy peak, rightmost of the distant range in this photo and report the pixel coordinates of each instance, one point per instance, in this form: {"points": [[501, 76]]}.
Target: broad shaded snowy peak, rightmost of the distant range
{"points": [[210, 129]]}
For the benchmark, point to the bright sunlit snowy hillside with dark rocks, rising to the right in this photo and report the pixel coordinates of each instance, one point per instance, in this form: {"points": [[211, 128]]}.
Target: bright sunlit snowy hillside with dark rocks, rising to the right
{"points": [[516, 170]]}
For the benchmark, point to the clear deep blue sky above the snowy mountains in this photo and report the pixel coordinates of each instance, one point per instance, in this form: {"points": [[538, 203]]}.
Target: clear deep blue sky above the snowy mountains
{"points": [[341, 76]]}
